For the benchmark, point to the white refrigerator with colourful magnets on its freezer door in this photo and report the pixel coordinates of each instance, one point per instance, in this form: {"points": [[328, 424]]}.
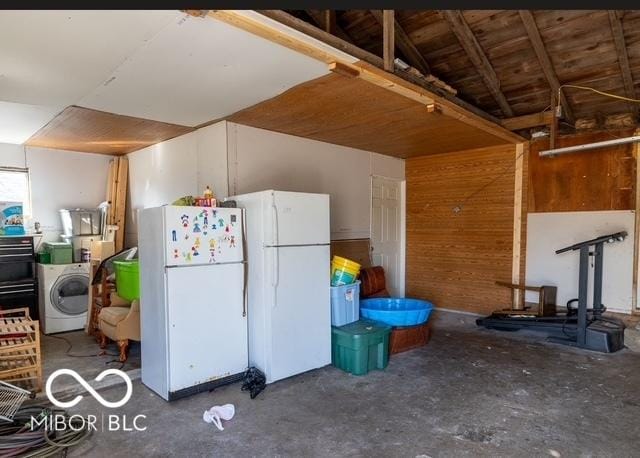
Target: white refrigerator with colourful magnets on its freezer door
{"points": [[192, 300]]}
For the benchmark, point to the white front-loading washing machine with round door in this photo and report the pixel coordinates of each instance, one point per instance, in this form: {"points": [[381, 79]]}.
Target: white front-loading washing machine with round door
{"points": [[64, 296]]}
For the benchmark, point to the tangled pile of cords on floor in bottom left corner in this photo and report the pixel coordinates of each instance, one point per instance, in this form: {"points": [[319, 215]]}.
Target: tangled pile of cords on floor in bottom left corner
{"points": [[21, 437]]}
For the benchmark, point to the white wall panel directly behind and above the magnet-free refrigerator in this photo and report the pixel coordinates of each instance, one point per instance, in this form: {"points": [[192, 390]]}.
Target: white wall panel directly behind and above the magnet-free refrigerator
{"points": [[261, 159]]}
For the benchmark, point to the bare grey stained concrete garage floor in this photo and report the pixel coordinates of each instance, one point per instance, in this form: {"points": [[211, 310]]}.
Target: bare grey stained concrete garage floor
{"points": [[470, 392]]}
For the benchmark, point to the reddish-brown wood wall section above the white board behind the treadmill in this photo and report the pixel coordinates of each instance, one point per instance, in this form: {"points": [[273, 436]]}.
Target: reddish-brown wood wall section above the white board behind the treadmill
{"points": [[595, 180]]}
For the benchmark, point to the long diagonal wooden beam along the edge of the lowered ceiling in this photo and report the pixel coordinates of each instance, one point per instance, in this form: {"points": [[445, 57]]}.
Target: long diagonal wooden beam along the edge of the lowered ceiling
{"points": [[328, 48]]}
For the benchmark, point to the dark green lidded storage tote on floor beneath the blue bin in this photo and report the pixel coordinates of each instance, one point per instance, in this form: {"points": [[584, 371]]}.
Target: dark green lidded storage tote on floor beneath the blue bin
{"points": [[360, 346]]}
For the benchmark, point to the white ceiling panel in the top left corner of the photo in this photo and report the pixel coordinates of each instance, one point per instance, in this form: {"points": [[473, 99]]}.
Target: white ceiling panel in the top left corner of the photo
{"points": [[55, 58]]}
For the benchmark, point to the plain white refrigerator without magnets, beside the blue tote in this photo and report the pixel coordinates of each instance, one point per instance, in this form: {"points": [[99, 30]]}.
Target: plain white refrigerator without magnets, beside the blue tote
{"points": [[288, 239]]}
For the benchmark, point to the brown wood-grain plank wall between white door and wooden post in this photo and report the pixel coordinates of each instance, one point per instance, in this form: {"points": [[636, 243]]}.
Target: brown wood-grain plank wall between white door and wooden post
{"points": [[455, 258]]}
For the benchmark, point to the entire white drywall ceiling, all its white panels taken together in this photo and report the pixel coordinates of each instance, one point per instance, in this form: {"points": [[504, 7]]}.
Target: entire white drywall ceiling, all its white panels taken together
{"points": [[160, 65]]}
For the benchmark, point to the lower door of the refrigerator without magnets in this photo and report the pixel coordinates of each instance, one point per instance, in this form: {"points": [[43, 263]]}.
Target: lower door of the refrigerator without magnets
{"points": [[301, 314]]}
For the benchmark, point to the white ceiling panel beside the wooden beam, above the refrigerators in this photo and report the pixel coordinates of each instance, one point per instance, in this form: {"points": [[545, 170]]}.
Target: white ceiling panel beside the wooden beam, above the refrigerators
{"points": [[196, 70]]}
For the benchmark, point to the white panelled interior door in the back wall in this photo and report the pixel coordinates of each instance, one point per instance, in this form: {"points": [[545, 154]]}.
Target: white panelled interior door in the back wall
{"points": [[386, 231]]}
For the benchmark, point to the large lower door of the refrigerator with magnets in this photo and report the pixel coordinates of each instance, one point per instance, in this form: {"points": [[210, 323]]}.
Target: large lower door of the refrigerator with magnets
{"points": [[207, 332]]}
